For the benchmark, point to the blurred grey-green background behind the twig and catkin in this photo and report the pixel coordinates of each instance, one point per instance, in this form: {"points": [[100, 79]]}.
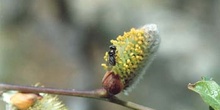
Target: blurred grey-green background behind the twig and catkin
{"points": [[61, 44]]}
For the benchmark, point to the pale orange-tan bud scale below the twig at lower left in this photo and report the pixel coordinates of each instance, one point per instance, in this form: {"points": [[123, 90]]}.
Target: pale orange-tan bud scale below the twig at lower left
{"points": [[24, 100]]}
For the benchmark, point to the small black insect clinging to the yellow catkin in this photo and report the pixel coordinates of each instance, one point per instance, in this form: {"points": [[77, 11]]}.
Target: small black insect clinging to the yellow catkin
{"points": [[111, 55]]}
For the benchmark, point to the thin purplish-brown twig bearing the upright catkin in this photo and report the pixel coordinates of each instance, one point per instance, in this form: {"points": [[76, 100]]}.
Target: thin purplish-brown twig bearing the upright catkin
{"points": [[100, 94]]}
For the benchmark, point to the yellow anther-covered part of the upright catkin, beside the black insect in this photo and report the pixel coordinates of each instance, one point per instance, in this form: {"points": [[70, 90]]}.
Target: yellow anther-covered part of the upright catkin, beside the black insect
{"points": [[130, 52]]}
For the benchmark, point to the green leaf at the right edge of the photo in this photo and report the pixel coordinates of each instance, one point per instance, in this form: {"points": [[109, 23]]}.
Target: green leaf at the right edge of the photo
{"points": [[209, 90]]}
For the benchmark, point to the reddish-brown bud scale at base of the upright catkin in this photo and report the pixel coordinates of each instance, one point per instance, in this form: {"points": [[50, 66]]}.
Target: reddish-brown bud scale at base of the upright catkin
{"points": [[112, 83]]}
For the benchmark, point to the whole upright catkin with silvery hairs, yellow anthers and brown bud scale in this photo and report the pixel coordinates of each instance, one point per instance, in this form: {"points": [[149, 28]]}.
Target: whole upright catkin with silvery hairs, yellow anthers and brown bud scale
{"points": [[134, 51]]}
